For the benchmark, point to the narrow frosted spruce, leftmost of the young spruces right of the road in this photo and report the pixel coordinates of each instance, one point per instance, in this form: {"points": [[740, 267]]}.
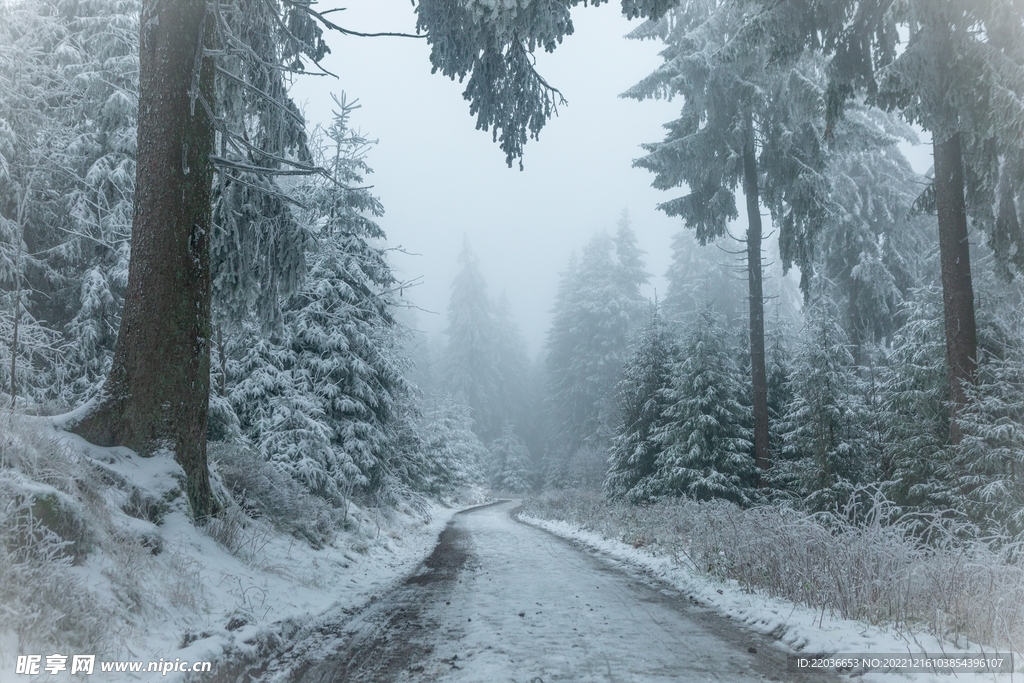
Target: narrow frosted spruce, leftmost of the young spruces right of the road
{"points": [[644, 398]]}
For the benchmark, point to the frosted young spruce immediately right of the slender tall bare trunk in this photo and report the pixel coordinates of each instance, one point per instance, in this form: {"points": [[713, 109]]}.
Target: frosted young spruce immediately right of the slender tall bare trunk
{"points": [[829, 447]]}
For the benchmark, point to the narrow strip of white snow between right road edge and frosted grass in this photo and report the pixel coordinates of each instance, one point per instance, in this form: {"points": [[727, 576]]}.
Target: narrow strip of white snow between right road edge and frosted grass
{"points": [[793, 628]]}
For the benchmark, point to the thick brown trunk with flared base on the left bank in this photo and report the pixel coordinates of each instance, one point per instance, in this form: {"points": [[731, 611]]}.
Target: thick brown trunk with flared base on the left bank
{"points": [[157, 394]]}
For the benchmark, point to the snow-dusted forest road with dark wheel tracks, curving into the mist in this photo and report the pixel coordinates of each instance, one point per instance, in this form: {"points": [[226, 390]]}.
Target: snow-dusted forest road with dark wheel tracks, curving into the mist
{"points": [[502, 602]]}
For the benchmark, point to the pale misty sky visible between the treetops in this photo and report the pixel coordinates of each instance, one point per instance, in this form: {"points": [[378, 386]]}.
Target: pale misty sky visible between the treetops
{"points": [[441, 179]]}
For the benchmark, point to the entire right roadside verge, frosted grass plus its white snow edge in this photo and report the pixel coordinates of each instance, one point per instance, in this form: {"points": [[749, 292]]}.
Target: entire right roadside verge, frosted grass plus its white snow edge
{"points": [[835, 591]]}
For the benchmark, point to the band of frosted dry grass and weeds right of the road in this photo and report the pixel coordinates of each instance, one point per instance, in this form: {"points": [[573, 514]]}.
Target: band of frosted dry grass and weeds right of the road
{"points": [[871, 570]]}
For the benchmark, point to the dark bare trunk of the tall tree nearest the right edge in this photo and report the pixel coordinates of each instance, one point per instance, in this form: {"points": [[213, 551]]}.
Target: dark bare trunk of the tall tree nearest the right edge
{"points": [[958, 290]]}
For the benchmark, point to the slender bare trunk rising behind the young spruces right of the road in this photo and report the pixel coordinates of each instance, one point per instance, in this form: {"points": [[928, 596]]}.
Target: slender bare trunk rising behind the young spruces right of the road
{"points": [[759, 375]]}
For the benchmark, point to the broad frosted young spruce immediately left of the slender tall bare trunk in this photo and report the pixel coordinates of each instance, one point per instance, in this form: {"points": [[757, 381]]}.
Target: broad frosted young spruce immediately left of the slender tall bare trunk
{"points": [[705, 437]]}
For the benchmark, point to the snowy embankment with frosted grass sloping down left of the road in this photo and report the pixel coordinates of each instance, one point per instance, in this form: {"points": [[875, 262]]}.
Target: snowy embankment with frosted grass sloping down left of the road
{"points": [[99, 556]]}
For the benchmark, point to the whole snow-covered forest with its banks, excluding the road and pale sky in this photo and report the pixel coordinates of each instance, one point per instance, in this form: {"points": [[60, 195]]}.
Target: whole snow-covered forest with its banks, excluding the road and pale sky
{"points": [[203, 328]]}
